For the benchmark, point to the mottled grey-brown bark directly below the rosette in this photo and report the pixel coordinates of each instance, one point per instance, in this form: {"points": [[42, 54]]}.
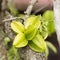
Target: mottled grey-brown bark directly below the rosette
{"points": [[27, 54]]}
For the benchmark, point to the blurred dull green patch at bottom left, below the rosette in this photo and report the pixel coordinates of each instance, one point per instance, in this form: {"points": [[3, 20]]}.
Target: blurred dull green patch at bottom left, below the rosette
{"points": [[12, 54]]}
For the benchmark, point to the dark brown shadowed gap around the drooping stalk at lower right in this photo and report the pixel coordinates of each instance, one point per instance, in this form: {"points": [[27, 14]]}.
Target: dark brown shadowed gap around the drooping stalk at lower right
{"points": [[53, 40]]}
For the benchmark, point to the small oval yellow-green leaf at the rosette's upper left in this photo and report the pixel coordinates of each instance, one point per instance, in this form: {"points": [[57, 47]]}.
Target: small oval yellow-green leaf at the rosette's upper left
{"points": [[17, 27]]}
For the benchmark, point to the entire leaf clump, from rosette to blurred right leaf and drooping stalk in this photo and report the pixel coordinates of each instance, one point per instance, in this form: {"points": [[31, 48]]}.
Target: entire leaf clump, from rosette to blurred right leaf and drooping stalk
{"points": [[34, 32]]}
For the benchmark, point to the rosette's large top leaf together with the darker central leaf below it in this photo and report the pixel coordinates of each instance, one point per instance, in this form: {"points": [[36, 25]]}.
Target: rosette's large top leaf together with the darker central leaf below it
{"points": [[31, 25]]}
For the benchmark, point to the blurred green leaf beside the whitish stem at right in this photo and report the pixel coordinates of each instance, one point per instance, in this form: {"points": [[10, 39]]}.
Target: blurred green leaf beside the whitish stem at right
{"points": [[48, 16]]}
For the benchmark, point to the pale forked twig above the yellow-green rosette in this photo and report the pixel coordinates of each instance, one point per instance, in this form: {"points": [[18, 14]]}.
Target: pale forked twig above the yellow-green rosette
{"points": [[27, 12]]}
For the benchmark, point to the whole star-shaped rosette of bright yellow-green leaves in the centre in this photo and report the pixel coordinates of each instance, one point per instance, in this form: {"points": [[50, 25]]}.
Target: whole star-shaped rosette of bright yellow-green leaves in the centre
{"points": [[28, 34]]}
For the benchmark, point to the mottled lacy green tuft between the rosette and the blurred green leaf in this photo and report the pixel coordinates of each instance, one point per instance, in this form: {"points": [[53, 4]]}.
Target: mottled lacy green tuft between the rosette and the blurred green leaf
{"points": [[43, 28]]}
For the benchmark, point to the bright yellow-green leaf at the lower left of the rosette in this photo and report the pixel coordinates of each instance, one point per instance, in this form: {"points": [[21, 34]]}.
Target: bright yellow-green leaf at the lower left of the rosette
{"points": [[20, 41]]}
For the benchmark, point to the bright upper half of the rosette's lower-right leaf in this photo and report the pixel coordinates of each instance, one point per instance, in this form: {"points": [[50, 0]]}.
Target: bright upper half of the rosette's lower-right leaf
{"points": [[39, 41]]}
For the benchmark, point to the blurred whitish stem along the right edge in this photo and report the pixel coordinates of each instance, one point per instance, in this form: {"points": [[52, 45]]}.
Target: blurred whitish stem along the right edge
{"points": [[57, 18]]}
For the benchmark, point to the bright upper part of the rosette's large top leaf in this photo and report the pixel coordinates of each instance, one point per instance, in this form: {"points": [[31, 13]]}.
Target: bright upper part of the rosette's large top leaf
{"points": [[33, 20]]}
